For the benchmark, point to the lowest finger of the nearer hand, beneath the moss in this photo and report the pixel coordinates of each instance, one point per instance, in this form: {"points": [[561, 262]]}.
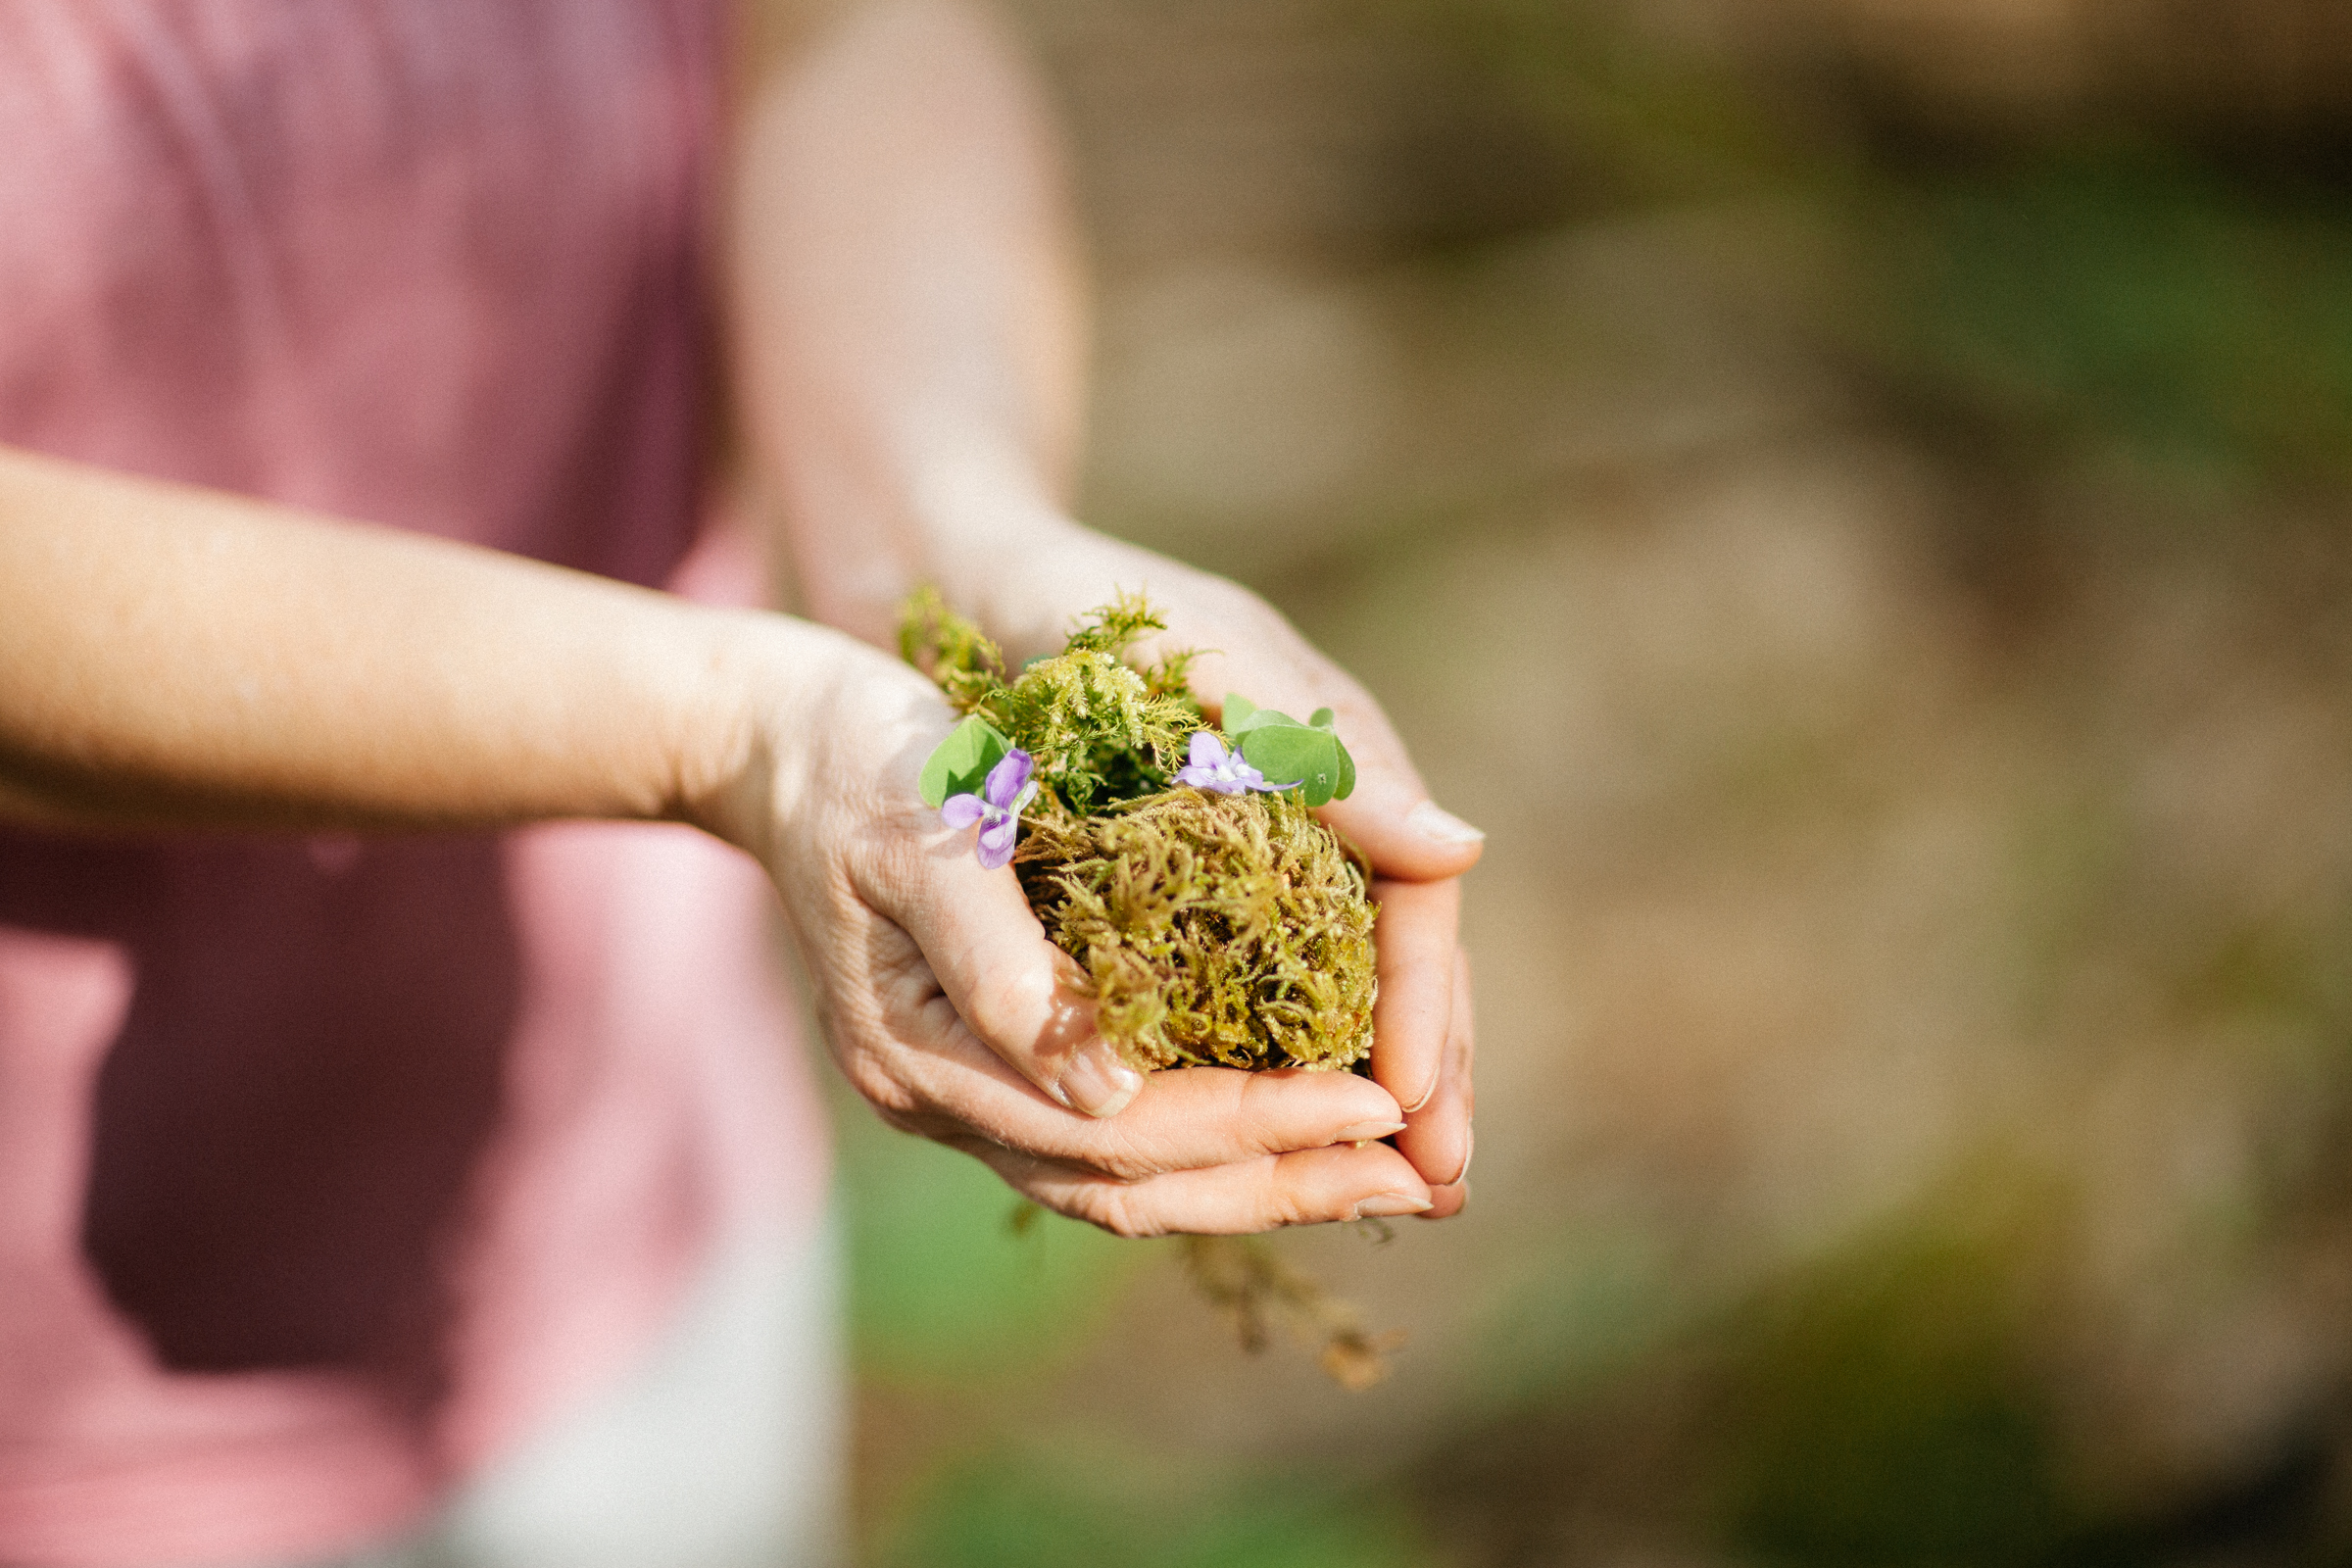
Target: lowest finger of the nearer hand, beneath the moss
{"points": [[1309, 1188]]}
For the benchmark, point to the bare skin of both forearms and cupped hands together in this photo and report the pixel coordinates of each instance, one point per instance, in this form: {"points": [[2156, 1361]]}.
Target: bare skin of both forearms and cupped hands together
{"points": [[907, 359]]}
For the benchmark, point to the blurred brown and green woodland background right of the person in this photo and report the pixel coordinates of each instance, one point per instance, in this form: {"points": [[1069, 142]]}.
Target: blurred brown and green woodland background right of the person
{"points": [[1852, 497]]}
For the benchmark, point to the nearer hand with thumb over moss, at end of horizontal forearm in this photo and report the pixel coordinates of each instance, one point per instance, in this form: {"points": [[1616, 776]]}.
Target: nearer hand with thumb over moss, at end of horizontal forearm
{"points": [[951, 1012]]}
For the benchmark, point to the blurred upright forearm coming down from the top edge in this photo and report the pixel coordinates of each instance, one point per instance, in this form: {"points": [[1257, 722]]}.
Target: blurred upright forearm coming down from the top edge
{"points": [[907, 311]]}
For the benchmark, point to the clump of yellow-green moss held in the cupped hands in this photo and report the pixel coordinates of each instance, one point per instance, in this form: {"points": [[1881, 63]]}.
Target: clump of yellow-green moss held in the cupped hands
{"points": [[1212, 930]]}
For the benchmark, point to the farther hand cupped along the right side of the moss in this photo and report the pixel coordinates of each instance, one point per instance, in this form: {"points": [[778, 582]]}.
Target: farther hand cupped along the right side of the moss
{"points": [[1419, 852]]}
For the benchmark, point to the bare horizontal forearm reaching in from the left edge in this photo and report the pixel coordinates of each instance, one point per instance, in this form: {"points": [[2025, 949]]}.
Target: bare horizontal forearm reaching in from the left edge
{"points": [[178, 657]]}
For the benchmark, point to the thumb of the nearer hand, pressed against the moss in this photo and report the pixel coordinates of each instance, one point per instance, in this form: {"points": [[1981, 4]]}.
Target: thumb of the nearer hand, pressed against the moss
{"points": [[1008, 984]]}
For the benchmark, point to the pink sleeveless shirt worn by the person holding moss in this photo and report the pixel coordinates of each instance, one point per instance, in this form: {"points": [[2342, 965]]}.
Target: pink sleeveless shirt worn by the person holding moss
{"points": [[333, 1165]]}
